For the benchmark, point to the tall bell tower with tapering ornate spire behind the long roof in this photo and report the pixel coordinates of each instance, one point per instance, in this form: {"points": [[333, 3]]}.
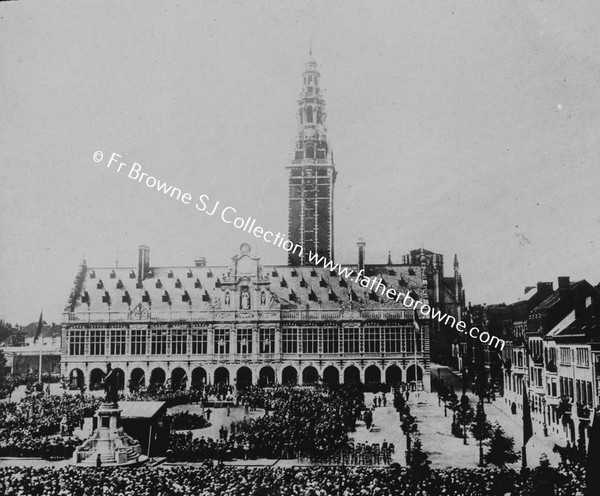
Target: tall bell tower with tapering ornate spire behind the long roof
{"points": [[311, 174]]}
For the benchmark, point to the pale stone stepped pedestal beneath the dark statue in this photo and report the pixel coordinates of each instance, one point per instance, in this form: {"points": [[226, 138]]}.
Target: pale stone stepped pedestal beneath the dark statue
{"points": [[109, 441]]}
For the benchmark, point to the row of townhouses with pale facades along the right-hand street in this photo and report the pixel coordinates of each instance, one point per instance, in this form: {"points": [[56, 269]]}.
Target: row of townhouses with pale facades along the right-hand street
{"points": [[552, 352]]}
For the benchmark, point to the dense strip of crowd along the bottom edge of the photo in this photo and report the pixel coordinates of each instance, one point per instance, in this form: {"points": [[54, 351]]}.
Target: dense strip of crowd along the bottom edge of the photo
{"points": [[209, 480]]}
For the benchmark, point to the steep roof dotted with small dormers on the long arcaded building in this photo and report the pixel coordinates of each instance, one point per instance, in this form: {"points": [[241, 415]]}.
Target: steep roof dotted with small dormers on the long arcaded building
{"points": [[293, 287]]}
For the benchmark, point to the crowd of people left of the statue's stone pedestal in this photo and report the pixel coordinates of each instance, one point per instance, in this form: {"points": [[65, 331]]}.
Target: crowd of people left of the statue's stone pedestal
{"points": [[42, 425]]}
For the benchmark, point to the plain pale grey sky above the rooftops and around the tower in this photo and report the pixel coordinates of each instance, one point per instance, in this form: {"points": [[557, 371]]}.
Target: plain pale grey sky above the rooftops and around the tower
{"points": [[463, 127]]}
